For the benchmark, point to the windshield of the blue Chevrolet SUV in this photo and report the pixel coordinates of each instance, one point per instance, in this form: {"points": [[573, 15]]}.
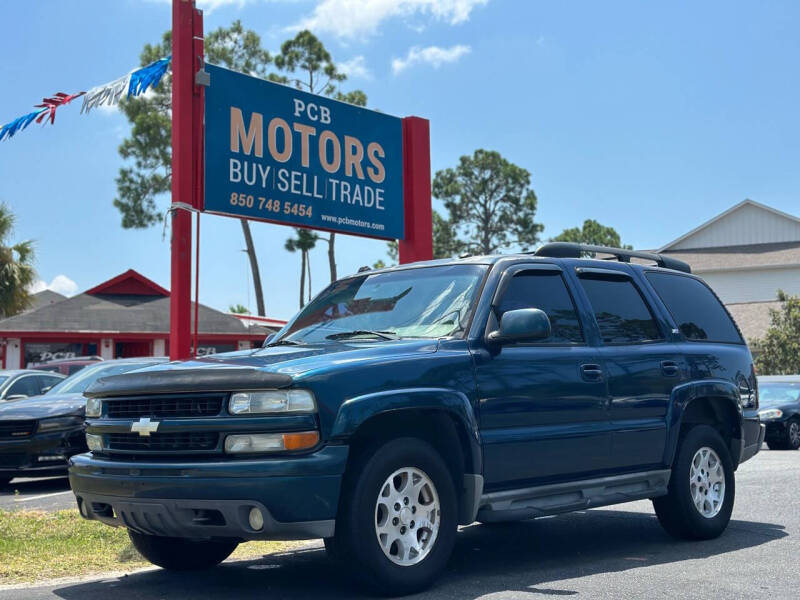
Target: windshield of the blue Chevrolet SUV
{"points": [[430, 302]]}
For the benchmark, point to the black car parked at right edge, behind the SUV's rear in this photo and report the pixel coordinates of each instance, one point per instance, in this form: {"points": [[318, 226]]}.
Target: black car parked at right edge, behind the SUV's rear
{"points": [[780, 410]]}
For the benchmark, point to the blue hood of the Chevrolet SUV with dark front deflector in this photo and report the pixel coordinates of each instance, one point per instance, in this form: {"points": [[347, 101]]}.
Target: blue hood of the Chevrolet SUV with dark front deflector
{"points": [[272, 367]]}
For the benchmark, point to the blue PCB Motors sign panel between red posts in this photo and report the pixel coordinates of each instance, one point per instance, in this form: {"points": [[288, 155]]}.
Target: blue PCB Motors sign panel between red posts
{"points": [[279, 154]]}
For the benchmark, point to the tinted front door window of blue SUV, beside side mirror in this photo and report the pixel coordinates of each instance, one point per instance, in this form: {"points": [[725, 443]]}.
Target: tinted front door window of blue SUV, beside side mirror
{"points": [[545, 290]]}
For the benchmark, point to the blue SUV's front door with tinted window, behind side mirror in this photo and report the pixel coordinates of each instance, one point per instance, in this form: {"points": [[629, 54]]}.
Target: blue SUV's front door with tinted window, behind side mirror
{"points": [[542, 407]]}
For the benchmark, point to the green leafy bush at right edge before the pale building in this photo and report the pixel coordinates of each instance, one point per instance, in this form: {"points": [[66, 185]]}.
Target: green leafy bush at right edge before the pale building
{"points": [[778, 352]]}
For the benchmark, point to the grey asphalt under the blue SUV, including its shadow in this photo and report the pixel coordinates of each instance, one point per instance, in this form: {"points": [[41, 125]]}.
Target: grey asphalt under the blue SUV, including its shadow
{"points": [[618, 552]]}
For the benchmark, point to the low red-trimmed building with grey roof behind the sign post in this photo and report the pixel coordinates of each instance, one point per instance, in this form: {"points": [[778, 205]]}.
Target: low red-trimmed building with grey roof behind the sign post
{"points": [[123, 317]]}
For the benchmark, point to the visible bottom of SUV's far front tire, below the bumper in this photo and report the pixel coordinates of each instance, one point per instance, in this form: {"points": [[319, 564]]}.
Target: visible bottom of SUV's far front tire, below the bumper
{"points": [[179, 554]]}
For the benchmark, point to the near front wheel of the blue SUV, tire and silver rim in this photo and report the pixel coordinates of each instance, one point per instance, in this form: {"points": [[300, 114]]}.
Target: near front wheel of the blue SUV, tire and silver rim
{"points": [[398, 519]]}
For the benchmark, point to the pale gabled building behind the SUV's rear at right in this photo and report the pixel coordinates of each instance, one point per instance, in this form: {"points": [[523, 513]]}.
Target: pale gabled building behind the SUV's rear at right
{"points": [[747, 254]]}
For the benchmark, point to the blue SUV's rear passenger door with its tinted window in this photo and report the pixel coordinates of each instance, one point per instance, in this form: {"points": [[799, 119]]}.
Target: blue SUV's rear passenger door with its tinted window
{"points": [[641, 366]]}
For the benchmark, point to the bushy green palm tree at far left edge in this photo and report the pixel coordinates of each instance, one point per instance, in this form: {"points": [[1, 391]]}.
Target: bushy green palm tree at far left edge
{"points": [[16, 268]]}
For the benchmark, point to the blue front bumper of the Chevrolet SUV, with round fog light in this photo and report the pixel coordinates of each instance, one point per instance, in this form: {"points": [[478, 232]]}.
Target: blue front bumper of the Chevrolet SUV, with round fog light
{"points": [[297, 496]]}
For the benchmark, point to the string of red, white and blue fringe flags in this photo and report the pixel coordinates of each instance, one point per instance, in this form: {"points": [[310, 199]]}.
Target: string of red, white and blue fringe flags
{"points": [[133, 84]]}
